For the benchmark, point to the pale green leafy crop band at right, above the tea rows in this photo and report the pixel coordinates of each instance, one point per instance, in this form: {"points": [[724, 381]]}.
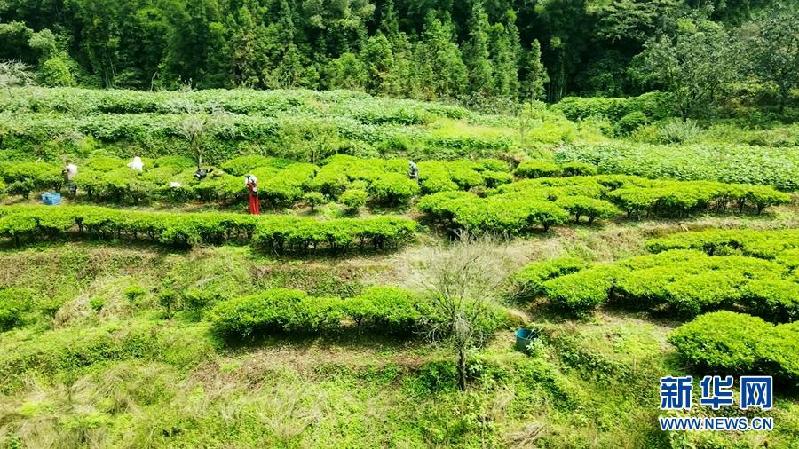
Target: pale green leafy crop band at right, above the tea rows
{"points": [[775, 166]]}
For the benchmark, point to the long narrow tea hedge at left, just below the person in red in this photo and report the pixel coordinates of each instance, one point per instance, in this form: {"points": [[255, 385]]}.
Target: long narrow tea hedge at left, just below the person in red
{"points": [[275, 233]]}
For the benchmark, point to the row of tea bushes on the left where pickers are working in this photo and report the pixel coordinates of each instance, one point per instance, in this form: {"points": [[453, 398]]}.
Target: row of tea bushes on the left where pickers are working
{"points": [[282, 183]]}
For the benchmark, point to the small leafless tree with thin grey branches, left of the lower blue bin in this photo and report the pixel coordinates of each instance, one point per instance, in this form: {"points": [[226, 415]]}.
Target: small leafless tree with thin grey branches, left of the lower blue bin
{"points": [[463, 281]]}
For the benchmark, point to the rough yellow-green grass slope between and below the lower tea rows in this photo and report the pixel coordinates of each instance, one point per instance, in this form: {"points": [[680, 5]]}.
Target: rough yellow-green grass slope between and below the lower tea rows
{"points": [[126, 376]]}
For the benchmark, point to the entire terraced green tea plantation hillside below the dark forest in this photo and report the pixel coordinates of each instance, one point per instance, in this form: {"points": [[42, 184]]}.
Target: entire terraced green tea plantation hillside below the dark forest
{"points": [[368, 308]]}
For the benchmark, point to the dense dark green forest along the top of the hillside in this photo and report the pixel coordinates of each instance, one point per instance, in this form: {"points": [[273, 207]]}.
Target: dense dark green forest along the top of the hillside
{"points": [[469, 51]]}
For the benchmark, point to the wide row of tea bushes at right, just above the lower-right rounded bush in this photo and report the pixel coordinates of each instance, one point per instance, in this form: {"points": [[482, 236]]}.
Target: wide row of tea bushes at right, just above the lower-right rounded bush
{"points": [[686, 282]]}
